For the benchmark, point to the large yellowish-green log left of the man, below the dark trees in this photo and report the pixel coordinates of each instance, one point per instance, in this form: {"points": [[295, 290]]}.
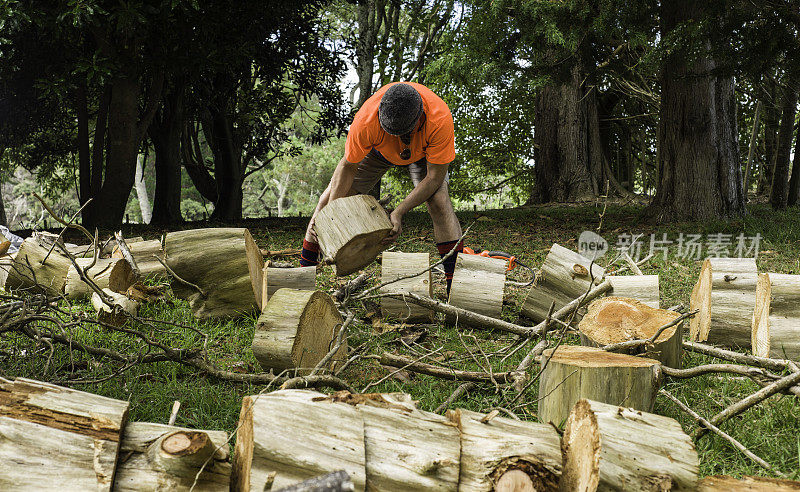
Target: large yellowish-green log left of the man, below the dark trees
{"points": [[224, 263]]}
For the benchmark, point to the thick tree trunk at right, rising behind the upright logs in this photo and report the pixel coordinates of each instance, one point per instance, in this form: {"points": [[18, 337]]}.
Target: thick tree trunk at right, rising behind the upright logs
{"points": [[700, 176]]}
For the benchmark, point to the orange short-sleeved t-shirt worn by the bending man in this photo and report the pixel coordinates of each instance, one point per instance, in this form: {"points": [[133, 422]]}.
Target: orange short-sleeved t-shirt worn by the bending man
{"points": [[435, 140]]}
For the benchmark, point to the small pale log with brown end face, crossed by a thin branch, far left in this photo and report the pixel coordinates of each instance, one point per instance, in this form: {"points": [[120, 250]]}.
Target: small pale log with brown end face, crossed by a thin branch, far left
{"points": [[111, 273]]}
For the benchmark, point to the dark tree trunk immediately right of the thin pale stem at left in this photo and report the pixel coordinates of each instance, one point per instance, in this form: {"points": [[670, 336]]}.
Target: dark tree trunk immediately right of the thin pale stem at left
{"points": [[165, 133]]}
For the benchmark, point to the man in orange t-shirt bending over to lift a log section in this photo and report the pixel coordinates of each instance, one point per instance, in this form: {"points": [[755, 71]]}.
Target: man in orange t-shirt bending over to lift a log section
{"points": [[402, 124]]}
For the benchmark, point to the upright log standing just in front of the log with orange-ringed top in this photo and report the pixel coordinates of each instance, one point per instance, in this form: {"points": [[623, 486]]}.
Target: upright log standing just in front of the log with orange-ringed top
{"points": [[573, 372]]}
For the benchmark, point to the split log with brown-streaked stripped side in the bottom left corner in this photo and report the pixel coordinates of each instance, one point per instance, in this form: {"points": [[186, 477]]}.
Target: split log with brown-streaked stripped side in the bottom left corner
{"points": [[55, 438]]}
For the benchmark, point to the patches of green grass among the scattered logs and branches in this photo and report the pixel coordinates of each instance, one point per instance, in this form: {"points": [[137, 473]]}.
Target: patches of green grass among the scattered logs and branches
{"points": [[771, 430]]}
